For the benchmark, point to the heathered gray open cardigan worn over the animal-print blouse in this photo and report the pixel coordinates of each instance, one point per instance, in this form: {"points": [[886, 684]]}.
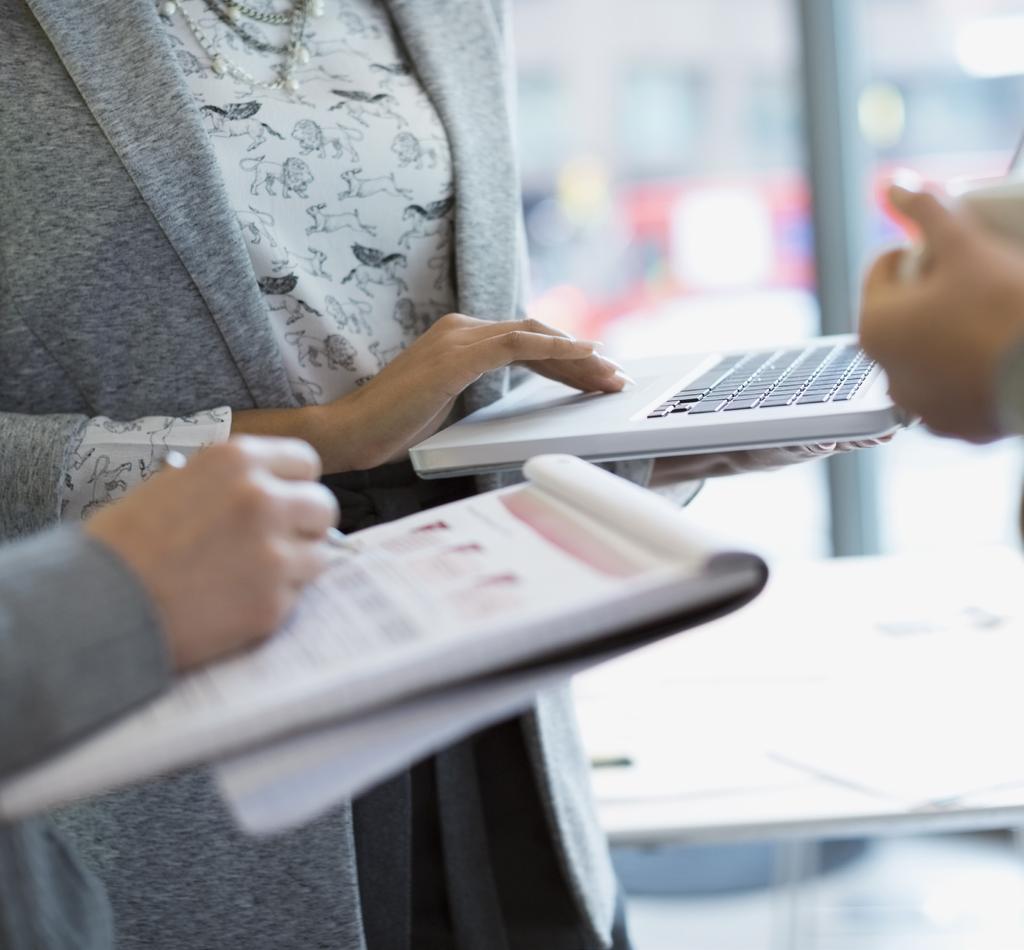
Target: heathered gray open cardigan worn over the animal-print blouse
{"points": [[127, 290]]}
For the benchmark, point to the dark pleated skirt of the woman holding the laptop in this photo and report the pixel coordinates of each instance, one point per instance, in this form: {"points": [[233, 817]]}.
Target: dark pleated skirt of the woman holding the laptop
{"points": [[456, 854]]}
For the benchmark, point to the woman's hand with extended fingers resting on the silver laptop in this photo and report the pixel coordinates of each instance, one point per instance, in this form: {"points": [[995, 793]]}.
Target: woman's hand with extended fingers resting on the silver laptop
{"points": [[412, 398]]}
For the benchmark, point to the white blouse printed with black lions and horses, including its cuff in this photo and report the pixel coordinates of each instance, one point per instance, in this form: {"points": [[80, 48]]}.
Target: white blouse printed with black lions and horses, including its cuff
{"points": [[345, 197]]}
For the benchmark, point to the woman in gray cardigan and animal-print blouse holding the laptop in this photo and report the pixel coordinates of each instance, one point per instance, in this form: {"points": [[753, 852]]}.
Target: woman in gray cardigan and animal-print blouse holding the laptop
{"points": [[131, 292]]}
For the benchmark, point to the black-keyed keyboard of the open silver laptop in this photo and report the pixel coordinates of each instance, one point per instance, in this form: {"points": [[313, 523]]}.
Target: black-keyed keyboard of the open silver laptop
{"points": [[800, 377]]}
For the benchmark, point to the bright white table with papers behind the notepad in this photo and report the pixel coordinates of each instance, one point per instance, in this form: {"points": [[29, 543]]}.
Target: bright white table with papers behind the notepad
{"points": [[902, 675]]}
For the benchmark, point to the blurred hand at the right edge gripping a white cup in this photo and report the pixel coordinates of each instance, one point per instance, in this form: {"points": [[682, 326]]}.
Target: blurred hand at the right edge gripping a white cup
{"points": [[942, 337]]}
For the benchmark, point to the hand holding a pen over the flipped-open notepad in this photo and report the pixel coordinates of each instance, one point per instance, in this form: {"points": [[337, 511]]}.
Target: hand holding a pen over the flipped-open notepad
{"points": [[226, 545]]}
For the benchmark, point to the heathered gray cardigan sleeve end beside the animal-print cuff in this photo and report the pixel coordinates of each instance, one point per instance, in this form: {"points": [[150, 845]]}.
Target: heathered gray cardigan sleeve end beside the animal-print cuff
{"points": [[34, 453]]}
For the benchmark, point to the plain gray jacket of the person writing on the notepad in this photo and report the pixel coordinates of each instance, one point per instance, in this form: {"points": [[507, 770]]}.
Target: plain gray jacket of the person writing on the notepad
{"points": [[79, 645]]}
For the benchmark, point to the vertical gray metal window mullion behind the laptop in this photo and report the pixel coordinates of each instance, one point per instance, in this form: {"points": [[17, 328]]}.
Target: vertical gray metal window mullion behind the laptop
{"points": [[838, 164]]}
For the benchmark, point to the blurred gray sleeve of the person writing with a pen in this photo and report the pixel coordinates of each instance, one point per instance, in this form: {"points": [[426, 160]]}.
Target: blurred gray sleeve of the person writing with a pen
{"points": [[79, 644]]}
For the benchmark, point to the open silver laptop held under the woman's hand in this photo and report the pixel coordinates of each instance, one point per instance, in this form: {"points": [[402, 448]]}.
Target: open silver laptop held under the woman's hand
{"points": [[687, 404]]}
